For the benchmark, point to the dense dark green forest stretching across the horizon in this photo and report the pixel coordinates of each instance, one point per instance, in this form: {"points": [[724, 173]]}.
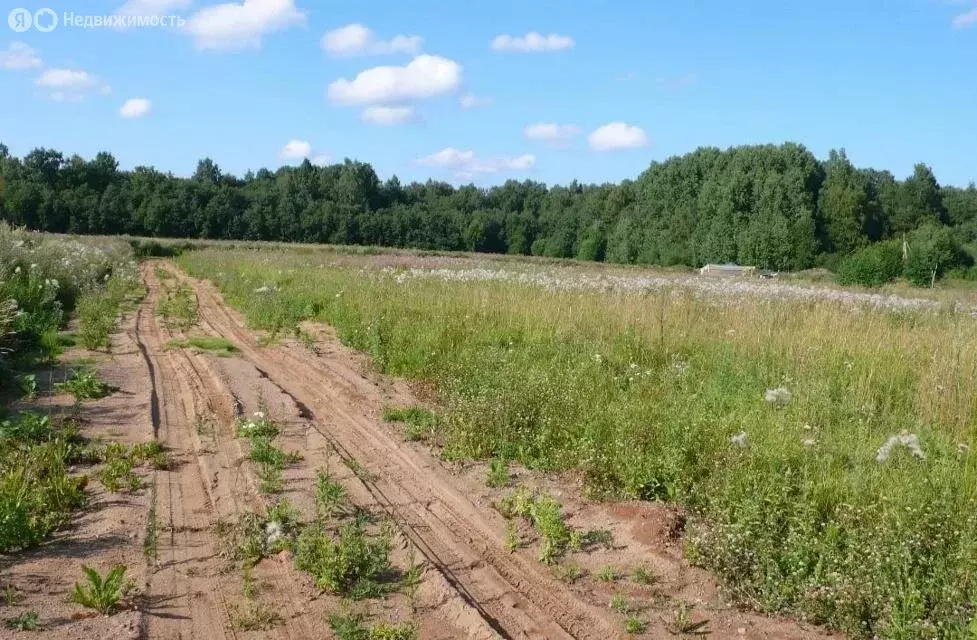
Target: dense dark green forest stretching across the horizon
{"points": [[777, 207]]}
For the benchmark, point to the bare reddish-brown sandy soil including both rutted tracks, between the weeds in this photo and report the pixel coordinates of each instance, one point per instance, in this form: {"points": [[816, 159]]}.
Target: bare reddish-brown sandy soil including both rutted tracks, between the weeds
{"points": [[329, 401]]}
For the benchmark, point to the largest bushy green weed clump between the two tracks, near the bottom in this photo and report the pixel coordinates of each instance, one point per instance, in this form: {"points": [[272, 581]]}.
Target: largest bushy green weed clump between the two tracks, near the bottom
{"points": [[350, 563]]}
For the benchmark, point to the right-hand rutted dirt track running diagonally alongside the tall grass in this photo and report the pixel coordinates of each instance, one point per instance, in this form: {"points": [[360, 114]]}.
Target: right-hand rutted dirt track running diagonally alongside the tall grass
{"points": [[513, 596]]}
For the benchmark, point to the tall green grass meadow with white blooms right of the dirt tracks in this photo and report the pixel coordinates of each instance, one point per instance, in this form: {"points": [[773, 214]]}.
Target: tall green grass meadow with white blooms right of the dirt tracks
{"points": [[662, 396]]}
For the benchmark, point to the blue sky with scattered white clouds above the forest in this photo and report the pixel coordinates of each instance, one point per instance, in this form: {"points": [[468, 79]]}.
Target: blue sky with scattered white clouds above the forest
{"points": [[482, 92]]}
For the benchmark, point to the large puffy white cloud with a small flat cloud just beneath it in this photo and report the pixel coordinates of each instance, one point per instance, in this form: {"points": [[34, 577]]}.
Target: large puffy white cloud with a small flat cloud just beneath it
{"points": [[425, 76]]}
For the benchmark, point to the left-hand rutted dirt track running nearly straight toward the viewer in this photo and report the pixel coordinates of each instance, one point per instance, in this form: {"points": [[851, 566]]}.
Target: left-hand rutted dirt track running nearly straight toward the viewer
{"points": [[188, 596]]}
